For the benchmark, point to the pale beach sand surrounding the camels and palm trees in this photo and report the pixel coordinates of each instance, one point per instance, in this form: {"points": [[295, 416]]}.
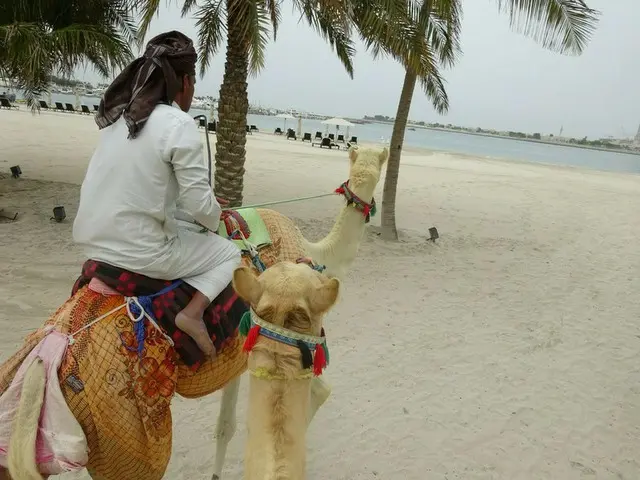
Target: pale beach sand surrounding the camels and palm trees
{"points": [[507, 350]]}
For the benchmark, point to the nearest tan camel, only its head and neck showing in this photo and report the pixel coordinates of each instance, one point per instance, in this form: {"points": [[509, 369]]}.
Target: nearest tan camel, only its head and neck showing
{"points": [[288, 302]]}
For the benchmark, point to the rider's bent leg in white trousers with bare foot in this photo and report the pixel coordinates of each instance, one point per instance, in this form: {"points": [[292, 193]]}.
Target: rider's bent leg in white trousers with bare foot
{"points": [[220, 258]]}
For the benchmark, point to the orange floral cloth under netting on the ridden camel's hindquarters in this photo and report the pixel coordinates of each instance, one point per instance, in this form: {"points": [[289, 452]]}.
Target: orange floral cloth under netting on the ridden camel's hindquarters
{"points": [[121, 395]]}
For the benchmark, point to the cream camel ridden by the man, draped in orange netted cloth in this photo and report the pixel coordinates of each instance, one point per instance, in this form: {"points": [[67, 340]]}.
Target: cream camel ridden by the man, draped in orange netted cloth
{"points": [[122, 401]]}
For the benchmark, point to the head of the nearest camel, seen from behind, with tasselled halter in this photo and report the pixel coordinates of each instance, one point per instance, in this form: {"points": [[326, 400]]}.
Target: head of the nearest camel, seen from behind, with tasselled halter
{"points": [[288, 302]]}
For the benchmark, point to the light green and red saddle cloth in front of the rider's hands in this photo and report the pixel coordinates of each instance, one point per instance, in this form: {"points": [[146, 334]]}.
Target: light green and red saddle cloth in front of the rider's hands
{"points": [[234, 224]]}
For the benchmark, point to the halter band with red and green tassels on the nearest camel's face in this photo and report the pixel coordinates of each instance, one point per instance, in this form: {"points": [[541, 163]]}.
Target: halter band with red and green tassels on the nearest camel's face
{"points": [[252, 326]]}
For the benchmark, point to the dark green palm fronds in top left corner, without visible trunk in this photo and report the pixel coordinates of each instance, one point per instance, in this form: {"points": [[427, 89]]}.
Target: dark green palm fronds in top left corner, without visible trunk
{"points": [[41, 38]]}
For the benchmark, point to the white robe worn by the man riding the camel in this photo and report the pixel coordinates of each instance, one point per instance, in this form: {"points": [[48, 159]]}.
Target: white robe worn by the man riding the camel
{"points": [[129, 198]]}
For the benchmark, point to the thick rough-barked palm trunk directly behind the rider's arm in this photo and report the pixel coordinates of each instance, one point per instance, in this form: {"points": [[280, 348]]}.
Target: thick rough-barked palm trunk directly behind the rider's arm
{"points": [[232, 117]]}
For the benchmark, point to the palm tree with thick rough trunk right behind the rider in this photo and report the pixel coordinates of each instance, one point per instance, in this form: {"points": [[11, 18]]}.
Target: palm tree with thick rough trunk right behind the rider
{"points": [[248, 25]]}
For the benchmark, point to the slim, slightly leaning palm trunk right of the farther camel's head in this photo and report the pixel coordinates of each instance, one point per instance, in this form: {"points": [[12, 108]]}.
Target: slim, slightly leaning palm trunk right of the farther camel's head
{"points": [[389, 230]]}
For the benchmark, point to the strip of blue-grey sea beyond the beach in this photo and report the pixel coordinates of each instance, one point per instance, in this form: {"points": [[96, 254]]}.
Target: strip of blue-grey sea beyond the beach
{"points": [[446, 141]]}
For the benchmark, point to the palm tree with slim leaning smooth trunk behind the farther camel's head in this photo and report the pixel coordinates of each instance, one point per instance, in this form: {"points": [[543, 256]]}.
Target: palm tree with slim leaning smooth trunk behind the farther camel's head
{"points": [[564, 26]]}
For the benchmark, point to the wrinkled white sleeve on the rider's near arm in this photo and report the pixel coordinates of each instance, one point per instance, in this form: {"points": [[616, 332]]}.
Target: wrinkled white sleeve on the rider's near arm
{"points": [[184, 151]]}
